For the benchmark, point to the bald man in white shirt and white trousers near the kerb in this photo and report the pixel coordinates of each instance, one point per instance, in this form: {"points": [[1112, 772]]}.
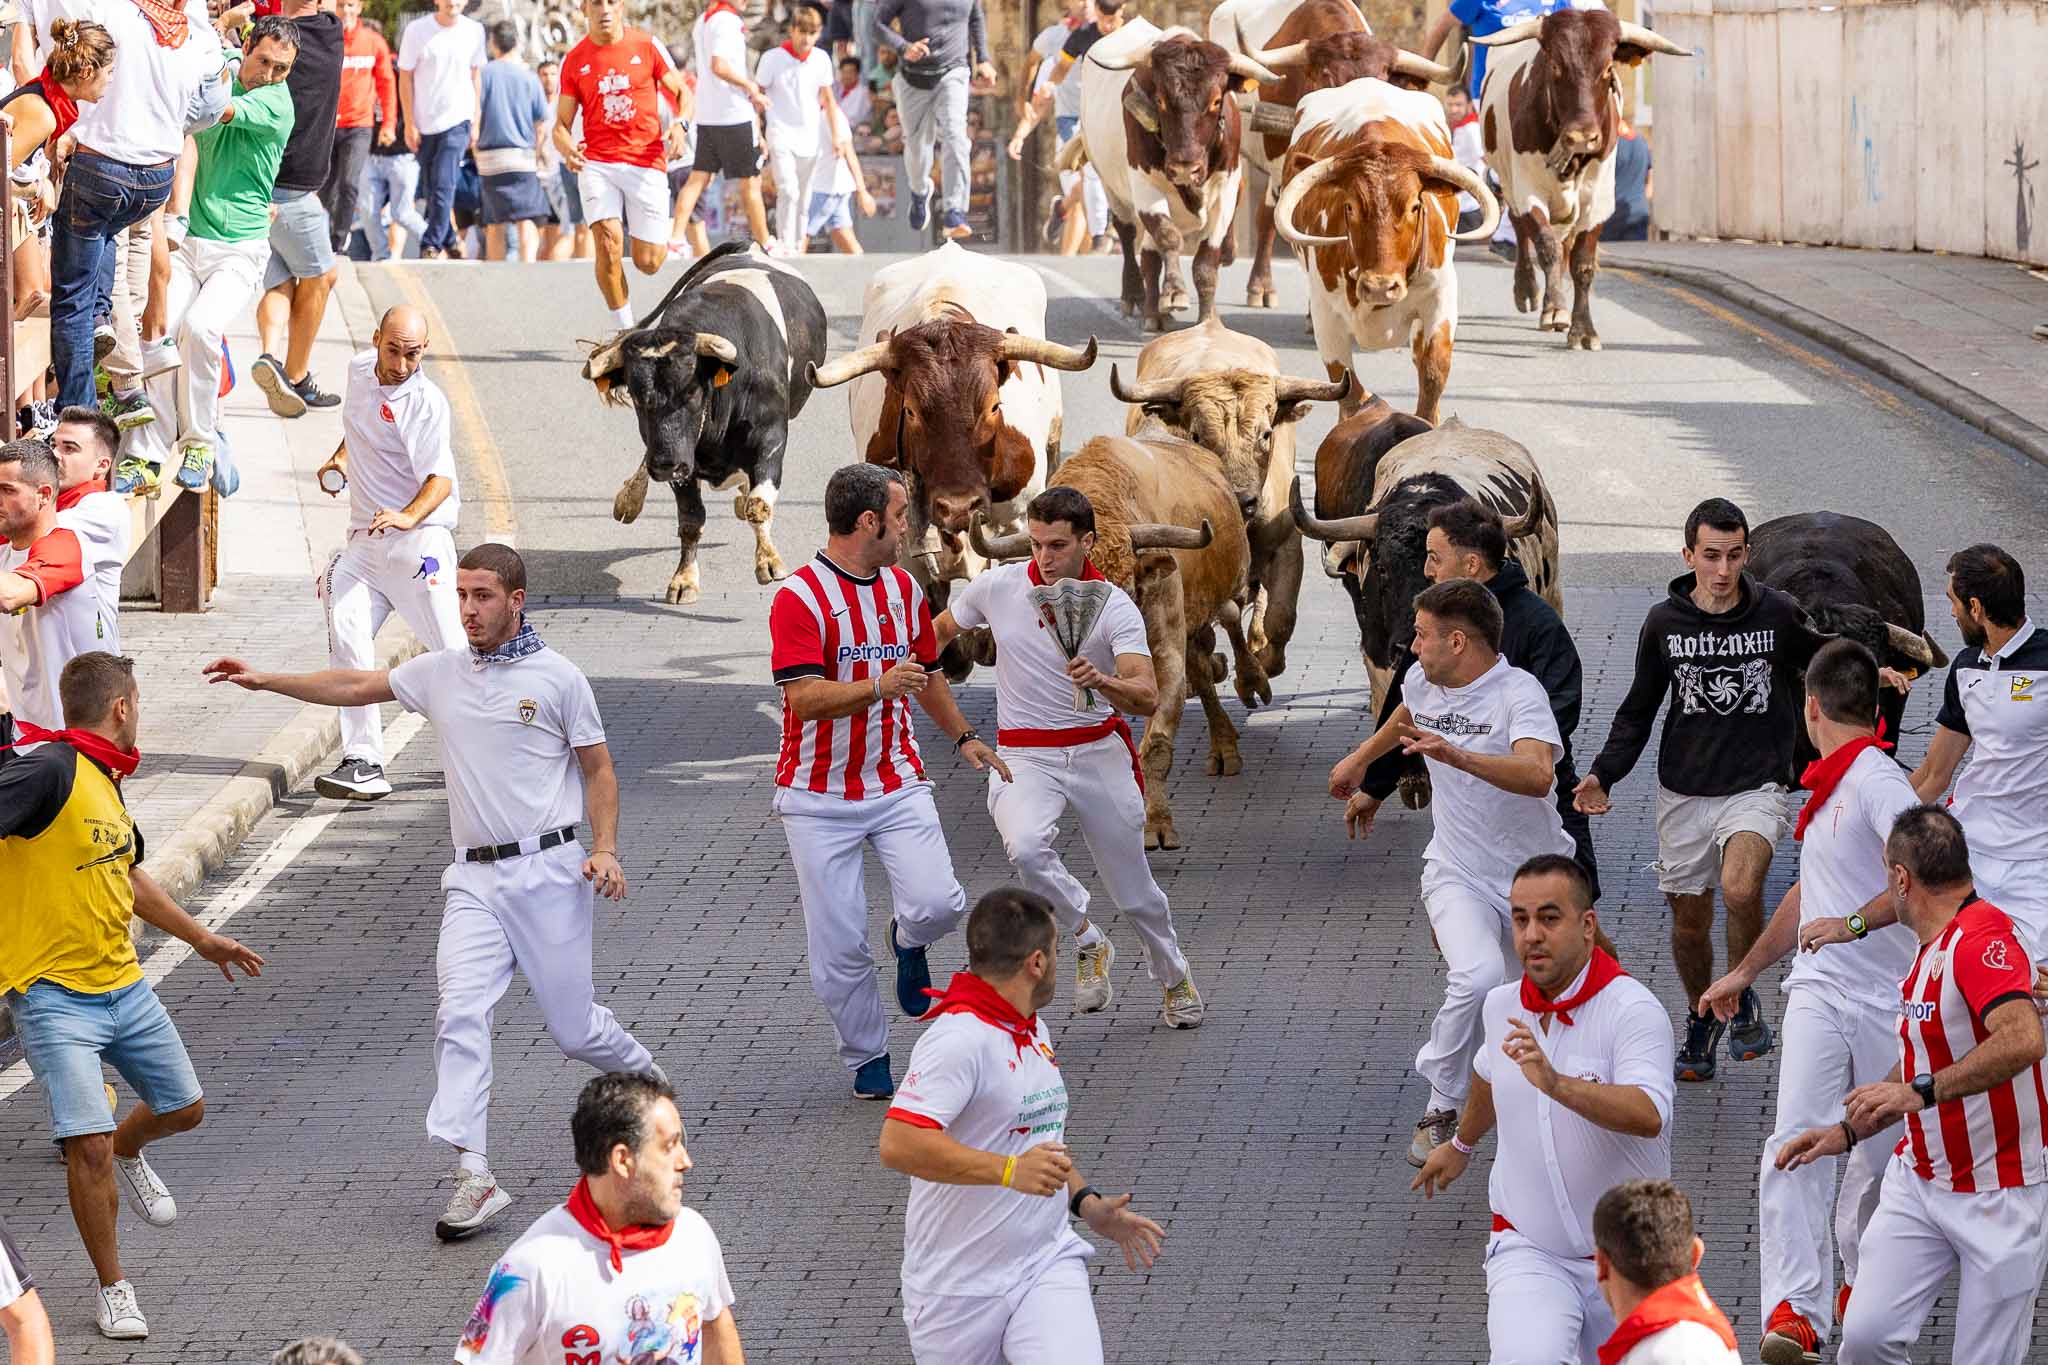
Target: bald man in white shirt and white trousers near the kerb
{"points": [[400, 554]]}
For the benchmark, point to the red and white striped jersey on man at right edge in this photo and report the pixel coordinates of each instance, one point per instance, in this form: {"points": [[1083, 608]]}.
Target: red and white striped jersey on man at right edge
{"points": [[1990, 1141]]}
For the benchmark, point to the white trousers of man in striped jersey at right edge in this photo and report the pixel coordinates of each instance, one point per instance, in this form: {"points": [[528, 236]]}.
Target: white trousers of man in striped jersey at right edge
{"points": [[1918, 1239]]}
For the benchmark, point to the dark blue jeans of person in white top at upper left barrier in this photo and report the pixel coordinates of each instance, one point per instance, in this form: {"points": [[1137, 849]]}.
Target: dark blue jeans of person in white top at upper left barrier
{"points": [[101, 202]]}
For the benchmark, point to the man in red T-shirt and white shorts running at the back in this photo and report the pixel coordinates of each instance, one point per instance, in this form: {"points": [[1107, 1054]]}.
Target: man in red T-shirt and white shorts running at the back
{"points": [[615, 79]]}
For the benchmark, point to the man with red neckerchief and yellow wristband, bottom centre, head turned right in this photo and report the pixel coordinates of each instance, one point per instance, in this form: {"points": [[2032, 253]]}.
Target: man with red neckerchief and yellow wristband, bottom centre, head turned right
{"points": [[992, 1270]]}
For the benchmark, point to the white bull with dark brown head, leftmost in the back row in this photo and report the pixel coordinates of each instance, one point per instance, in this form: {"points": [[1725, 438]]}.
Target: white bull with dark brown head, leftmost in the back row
{"points": [[1162, 130]]}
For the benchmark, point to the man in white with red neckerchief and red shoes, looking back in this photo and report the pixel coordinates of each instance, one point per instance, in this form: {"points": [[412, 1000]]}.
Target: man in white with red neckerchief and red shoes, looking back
{"points": [[1842, 1000]]}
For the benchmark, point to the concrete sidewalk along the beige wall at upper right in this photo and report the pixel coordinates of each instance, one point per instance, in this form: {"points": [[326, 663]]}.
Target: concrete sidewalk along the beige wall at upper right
{"points": [[1957, 331]]}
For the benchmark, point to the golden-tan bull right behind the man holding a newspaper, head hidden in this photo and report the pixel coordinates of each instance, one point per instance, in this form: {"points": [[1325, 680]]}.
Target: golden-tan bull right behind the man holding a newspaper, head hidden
{"points": [[1166, 533]]}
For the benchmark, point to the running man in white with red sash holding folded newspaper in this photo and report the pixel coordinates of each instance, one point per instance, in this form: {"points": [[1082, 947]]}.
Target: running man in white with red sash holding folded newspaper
{"points": [[1066, 754]]}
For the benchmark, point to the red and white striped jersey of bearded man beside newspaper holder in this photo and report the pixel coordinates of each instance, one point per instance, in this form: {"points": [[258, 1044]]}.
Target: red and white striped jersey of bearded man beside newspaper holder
{"points": [[826, 623]]}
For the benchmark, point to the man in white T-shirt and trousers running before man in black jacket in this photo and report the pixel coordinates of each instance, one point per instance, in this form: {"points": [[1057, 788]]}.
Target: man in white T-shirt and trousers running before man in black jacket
{"points": [[1486, 730]]}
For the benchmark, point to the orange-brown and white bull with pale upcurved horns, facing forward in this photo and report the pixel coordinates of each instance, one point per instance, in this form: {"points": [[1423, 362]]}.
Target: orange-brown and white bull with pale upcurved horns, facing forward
{"points": [[1371, 195]]}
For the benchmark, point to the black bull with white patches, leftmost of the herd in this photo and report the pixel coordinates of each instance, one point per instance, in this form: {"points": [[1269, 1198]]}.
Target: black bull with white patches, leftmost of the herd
{"points": [[716, 376]]}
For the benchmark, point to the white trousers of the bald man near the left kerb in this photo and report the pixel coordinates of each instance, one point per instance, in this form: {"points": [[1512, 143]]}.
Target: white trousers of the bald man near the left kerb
{"points": [[411, 572]]}
